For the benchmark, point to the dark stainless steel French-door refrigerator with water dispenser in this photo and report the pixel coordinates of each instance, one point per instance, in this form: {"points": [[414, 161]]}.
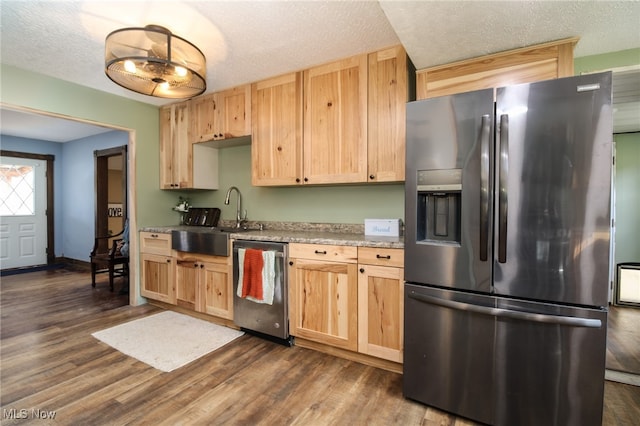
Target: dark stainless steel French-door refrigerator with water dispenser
{"points": [[508, 201]]}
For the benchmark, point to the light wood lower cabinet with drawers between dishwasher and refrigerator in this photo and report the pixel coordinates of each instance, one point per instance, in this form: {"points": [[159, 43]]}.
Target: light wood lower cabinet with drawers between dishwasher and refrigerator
{"points": [[348, 297]]}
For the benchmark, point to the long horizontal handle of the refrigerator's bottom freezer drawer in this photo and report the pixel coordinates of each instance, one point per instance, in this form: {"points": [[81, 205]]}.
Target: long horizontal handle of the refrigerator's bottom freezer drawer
{"points": [[508, 313]]}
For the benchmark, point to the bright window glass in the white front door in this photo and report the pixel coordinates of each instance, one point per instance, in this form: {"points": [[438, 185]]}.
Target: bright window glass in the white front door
{"points": [[17, 185]]}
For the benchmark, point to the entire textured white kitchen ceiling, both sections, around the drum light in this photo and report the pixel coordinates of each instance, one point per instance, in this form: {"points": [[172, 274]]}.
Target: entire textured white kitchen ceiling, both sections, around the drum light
{"points": [[246, 41]]}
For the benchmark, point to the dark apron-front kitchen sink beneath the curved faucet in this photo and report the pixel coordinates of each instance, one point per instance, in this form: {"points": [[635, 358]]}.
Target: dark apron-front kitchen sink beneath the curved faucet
{"points": [[212, 241]]}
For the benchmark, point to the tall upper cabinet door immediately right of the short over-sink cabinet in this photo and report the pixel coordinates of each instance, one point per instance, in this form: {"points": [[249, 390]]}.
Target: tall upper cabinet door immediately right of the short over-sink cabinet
{"points": [[276, 145]]}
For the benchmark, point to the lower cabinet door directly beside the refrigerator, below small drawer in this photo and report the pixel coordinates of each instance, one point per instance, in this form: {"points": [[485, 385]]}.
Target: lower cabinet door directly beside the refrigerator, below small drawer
{"points": [[380, 312]]}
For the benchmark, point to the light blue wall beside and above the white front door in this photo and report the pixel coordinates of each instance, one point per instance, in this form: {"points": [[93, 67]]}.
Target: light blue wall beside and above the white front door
{"points": [[74, 186]]}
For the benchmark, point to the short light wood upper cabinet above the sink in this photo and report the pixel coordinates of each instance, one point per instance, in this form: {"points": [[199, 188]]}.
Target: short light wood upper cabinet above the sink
{"points": [[221, 115]]}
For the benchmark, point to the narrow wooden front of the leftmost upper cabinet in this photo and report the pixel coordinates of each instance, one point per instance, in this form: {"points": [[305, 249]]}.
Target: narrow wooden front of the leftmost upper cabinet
{"points": [[176, 159]]}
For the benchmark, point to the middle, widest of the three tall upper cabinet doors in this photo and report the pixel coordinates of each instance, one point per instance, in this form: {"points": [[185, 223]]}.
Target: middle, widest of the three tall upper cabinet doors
{"points": [[335, 122]]}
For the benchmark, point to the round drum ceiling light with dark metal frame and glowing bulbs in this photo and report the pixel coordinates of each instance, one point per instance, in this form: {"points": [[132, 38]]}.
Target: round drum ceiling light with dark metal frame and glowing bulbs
{"points": [[154, 62]]}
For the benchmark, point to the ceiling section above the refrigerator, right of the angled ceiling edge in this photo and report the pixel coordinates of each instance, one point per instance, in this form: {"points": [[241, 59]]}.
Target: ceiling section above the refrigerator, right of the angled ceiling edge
{"points": [[439, 32]]}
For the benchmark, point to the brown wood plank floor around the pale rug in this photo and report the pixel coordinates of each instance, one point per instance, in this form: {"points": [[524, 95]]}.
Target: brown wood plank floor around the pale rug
{"points": [[51, 365]]}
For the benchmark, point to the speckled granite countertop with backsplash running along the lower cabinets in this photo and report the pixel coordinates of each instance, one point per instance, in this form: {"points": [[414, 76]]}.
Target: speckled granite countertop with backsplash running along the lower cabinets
{"points": [[338, 234]]}
